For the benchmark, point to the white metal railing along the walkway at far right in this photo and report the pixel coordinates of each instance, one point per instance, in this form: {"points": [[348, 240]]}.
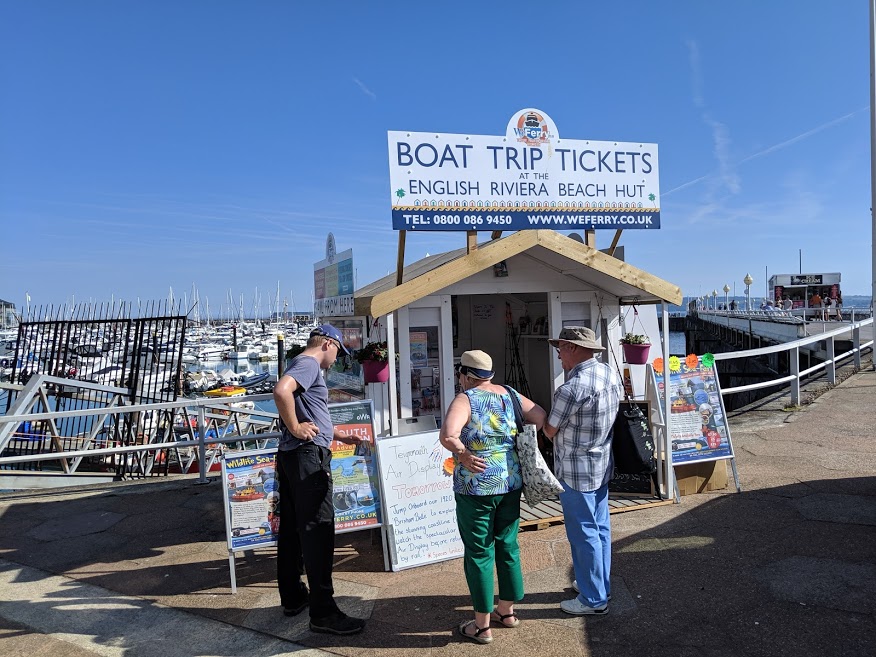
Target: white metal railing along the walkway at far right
{"points": [[797, 375]]}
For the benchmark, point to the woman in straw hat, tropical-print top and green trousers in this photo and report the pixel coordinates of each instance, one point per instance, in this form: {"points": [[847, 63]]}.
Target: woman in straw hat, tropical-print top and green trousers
{"points": [[480, 430]]}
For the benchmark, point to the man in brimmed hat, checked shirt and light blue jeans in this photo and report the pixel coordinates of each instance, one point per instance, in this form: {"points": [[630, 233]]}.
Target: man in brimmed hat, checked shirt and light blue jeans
{"points": [[580, 422]]}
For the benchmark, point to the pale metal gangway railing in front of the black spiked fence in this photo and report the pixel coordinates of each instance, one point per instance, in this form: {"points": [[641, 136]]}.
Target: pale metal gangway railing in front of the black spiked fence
{"points": [[140, 437]]}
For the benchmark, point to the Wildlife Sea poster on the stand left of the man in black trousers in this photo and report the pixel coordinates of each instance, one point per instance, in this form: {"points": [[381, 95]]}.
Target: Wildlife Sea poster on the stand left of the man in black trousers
{"points": [[252, 499]]}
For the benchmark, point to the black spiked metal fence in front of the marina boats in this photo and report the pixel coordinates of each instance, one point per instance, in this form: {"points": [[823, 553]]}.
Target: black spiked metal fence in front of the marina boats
{"points": [[137, 357]]}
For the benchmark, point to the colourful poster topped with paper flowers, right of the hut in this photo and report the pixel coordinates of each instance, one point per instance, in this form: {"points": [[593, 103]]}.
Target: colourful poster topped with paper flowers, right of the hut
{"points": [[699, 429]]}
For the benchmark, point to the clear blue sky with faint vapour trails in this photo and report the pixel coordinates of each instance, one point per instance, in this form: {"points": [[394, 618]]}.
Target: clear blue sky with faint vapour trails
{"points": [[150, 145]]}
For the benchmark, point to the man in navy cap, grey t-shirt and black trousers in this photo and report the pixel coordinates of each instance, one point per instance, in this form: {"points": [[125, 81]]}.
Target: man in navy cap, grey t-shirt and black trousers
{"points": [[306, 540]]}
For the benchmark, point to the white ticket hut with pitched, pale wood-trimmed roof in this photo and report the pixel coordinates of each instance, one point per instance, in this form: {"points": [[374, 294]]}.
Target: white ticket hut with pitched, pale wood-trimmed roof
{"points": [[506, 297]]}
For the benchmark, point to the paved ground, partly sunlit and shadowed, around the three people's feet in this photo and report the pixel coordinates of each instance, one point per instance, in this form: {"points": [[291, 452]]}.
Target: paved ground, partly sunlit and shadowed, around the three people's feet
{"points": [[783, 570]]}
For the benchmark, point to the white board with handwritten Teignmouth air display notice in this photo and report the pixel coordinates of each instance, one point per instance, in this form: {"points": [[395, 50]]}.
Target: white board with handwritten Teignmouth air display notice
{"points": [[419, 507]]}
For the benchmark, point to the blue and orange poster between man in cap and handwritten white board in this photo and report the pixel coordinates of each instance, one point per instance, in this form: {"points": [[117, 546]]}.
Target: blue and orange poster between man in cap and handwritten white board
{"points": [[356, 492]]}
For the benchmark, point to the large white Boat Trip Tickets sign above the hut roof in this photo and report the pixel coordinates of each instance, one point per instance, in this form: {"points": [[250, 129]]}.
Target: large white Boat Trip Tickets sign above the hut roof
{"points": [[527, 179]]}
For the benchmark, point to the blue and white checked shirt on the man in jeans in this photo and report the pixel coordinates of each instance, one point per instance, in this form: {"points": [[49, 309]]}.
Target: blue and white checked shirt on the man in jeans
{"points": [[584, 410]]}
